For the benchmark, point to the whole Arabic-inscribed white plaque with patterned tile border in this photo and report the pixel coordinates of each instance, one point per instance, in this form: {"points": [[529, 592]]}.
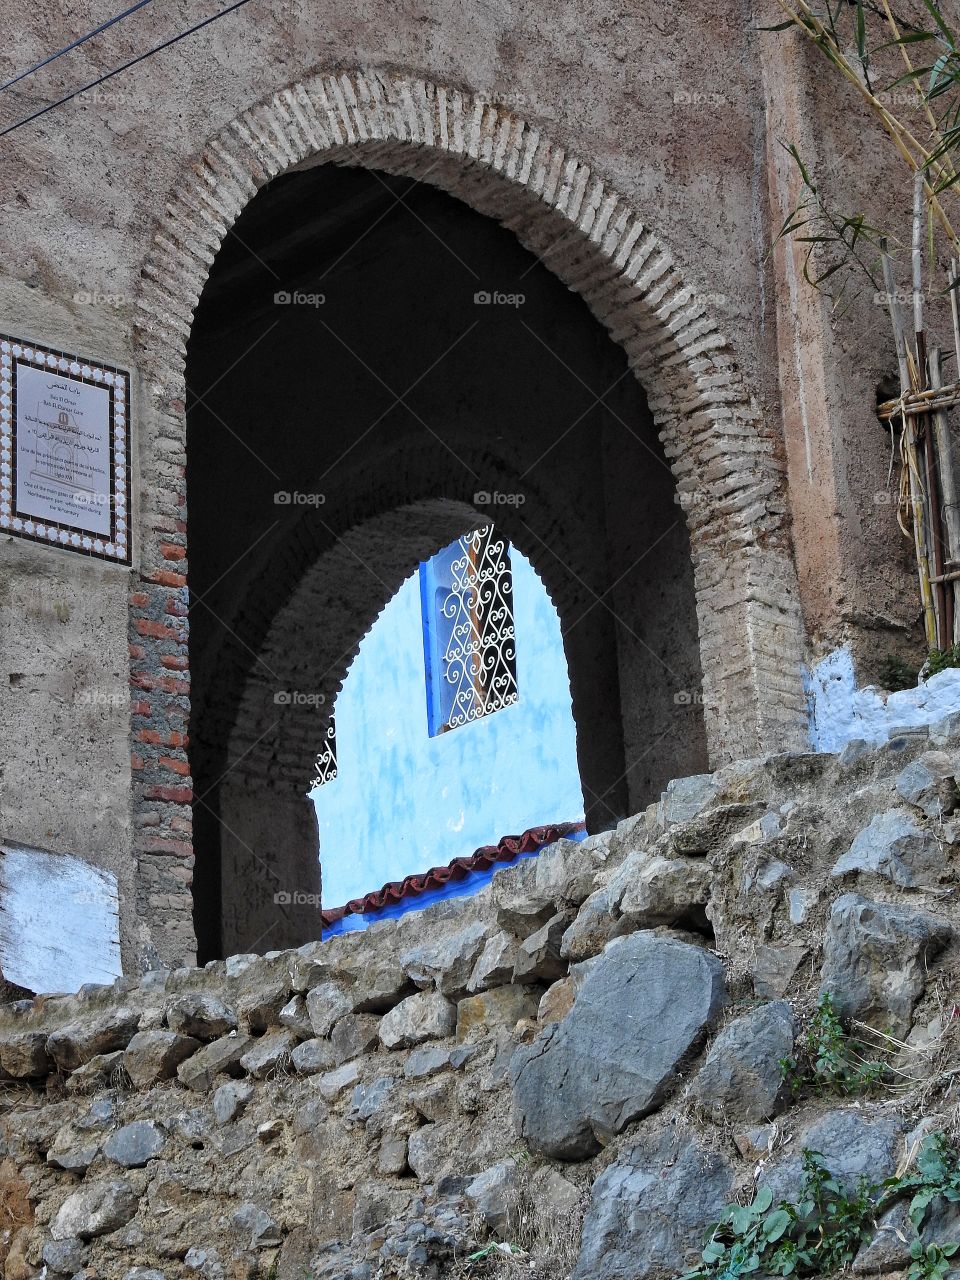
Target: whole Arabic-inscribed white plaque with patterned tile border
{"points": [[65, 449]]}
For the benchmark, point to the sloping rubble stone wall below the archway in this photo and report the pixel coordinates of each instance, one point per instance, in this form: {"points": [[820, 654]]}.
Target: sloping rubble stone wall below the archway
{"points": [[596, 1039]]}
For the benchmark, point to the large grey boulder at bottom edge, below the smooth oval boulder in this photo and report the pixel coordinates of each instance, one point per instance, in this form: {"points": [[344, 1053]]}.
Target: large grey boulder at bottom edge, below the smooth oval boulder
{"points": [[650, 1210]]}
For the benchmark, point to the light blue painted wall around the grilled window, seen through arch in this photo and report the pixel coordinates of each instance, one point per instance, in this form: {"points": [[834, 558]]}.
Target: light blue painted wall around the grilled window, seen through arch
{"points": [[405, 802]]}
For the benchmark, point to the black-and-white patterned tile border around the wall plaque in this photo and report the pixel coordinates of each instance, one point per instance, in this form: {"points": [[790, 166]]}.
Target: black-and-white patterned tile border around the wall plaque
{"points": [[117, 382]]}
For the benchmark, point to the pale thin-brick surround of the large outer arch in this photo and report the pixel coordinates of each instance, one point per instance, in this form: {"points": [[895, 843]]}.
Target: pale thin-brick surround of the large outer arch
{"points": [[725, 458]]}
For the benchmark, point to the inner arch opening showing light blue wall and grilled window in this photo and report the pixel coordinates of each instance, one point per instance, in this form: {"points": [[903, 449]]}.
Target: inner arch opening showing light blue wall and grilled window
{"points": [[454, 726]]}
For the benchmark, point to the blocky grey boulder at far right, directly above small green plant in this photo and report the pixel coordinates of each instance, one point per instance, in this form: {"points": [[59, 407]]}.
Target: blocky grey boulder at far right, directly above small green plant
{"points": [[876, 959]]}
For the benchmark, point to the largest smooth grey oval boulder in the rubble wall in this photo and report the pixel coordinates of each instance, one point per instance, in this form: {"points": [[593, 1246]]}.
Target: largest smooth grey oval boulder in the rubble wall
{"points": [[646, 1004]]}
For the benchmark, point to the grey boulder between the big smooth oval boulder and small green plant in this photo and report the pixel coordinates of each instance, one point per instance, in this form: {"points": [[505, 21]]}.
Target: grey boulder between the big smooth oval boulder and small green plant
{"points": [[742, 1078]]}
